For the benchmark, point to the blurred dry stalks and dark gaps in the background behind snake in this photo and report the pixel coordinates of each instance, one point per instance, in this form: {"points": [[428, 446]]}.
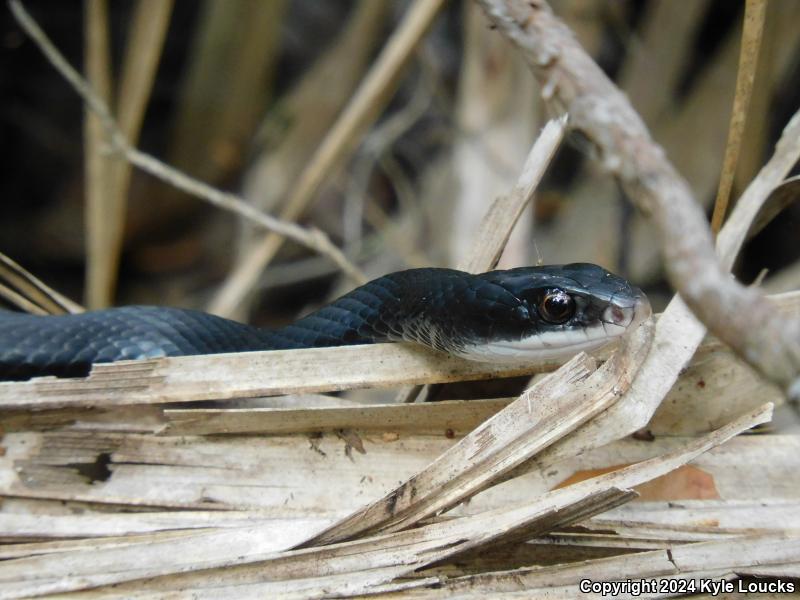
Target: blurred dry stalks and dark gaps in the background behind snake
{"points": [[244, 91]]}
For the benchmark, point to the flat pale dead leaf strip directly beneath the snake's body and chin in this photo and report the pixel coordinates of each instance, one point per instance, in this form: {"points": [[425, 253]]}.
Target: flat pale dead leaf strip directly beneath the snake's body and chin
{"points": [[250, 374]]}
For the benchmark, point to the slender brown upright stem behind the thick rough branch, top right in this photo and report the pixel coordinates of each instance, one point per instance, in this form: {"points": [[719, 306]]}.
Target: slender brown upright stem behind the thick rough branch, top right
{"points": [[754, 14]]}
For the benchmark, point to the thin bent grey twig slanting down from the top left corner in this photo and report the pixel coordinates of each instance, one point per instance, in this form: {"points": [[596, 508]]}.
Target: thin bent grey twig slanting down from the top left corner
{"points": [[310, 237]]}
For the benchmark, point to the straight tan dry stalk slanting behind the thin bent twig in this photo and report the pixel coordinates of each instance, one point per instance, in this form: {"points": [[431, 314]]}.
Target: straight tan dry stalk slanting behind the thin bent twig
{"points": [[366, 105]]}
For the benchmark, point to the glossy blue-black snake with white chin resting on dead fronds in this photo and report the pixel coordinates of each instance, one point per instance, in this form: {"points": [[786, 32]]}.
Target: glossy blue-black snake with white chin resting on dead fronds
{"points": [[528, 313]]}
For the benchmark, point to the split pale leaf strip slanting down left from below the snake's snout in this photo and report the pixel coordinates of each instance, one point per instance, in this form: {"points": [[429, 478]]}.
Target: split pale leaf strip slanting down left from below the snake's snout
{"points": [[549, 410]]}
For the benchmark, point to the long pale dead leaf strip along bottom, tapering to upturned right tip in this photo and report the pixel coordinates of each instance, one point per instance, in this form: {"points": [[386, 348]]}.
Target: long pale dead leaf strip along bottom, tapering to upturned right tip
{"points": [[407, 550]]}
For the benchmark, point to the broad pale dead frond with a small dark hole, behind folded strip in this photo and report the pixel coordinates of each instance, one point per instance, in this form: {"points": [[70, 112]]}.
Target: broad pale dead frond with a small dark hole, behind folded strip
{"points": [[270, 475]]}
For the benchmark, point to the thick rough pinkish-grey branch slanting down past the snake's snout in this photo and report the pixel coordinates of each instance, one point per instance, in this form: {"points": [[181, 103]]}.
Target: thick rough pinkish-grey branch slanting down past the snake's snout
{"points": [[573, 82]]}
